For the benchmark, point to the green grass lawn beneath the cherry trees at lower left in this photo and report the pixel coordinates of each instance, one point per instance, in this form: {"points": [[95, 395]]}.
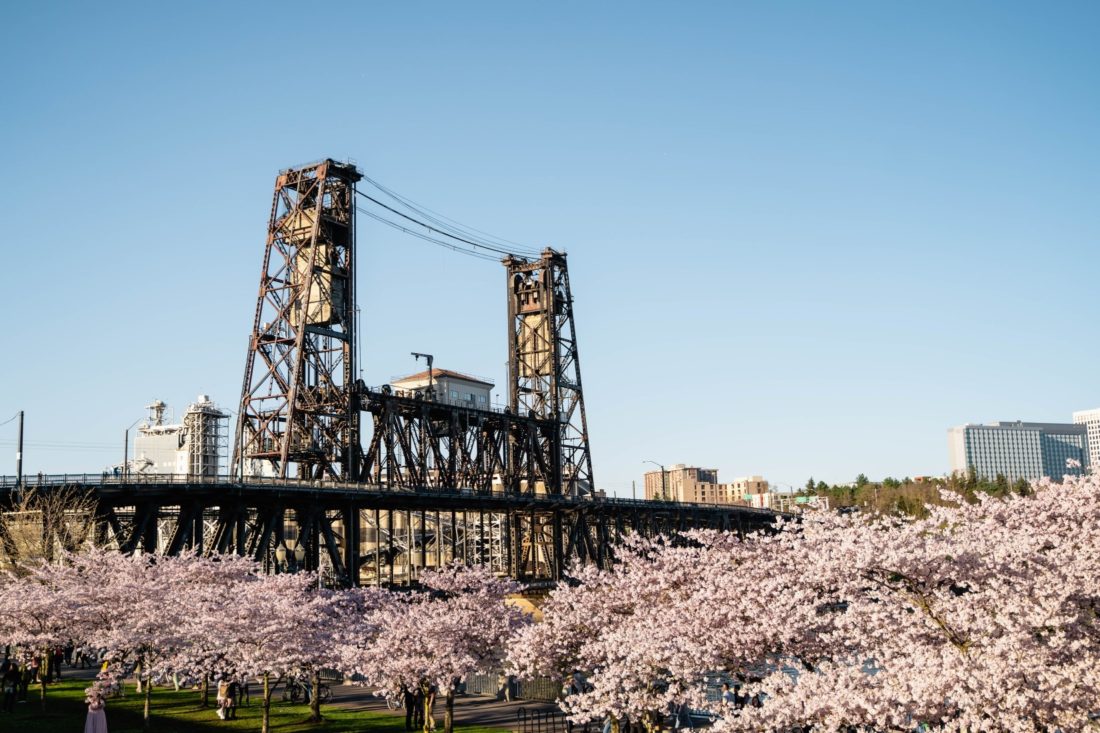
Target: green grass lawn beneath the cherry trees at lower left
{"points": [[181, 713]]}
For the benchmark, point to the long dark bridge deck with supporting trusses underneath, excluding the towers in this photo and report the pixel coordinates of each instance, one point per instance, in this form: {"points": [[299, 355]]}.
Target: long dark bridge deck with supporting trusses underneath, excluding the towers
{"points": [[373, 534]]}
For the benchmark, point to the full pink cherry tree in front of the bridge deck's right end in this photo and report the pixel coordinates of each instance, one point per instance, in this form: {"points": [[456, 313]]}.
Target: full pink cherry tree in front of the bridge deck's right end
{"points": [[645, 636]]}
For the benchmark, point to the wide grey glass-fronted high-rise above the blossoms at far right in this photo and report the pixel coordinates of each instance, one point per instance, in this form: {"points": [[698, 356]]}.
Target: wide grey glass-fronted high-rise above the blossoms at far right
{"points": [[1019, 451]]}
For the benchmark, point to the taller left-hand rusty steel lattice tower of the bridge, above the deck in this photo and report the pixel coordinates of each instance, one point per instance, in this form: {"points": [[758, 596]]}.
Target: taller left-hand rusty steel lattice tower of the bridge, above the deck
{"points": [[299, 417]]}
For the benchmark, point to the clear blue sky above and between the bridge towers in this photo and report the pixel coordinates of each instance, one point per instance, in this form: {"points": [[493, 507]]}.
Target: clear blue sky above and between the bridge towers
{"points": [[805, 238]]}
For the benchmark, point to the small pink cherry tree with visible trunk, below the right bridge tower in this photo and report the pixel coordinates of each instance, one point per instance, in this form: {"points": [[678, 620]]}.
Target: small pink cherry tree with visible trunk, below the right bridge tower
{"points": [[434, 639]]}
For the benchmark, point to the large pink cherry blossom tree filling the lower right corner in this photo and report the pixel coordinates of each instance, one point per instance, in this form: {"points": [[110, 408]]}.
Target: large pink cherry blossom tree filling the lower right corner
{"points": [[981, 617]]}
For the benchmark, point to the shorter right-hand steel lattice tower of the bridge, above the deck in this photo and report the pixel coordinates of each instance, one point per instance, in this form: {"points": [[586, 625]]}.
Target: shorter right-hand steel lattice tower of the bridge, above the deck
{"points": [[544, 368]]}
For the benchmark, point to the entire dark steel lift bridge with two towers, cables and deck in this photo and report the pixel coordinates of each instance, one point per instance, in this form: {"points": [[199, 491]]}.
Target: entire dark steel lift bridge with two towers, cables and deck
{"points": [[370, 486]]}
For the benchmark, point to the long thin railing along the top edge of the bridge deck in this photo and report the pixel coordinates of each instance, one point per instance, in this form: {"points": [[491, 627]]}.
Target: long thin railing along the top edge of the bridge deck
{"points": [[107, 479]]}
